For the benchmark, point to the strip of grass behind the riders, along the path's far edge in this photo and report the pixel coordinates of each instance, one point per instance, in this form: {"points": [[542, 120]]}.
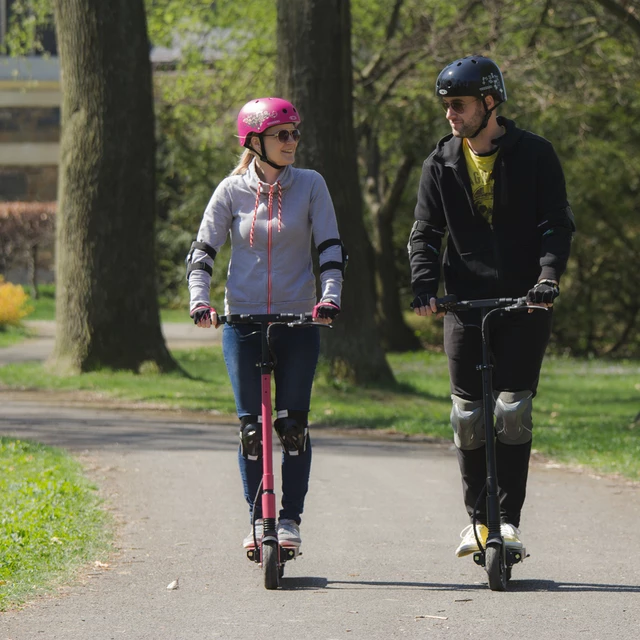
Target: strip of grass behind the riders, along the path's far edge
{"points": [[585, 412]]}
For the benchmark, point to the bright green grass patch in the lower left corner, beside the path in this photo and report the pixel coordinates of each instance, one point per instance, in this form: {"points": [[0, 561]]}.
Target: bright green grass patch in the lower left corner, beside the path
{"points": [[50, 520]]}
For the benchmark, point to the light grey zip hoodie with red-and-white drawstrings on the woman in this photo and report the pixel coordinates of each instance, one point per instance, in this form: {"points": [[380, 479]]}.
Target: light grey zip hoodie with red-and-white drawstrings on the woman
{"points": [[271, 228]]}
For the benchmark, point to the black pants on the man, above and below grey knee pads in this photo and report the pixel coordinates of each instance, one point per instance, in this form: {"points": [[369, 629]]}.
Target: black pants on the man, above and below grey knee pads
{"points": [[517, 342]]}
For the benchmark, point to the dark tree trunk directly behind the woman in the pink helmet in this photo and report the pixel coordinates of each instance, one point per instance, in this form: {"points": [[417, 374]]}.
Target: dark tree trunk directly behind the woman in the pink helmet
{"points": [[314, 71]]}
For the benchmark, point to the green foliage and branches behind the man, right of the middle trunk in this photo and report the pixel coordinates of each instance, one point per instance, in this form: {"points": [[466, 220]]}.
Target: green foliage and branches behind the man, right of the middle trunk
{"points": [[572, 72]]}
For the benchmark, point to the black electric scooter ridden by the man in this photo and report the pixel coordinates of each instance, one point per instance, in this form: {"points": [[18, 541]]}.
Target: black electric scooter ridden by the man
{"points": [[494, 555]]}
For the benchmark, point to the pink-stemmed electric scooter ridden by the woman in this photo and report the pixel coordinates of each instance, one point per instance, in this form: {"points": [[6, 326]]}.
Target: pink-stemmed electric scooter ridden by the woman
{"points": [[267, 551]]}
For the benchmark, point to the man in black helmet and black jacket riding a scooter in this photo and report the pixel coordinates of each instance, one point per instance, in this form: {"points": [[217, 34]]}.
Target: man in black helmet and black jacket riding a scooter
{"points": [[499, 192]]}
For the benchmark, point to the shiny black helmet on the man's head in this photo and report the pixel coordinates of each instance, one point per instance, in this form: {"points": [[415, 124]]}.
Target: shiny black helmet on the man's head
{"points": [[472, 76]]}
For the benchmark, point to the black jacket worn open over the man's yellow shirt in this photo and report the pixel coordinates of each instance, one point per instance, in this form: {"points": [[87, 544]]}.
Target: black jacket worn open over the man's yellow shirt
{"points": [[530, 235]]}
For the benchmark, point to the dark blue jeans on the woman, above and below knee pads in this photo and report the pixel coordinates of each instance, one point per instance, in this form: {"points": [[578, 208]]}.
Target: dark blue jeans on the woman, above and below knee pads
{"points": [[296, 350]]}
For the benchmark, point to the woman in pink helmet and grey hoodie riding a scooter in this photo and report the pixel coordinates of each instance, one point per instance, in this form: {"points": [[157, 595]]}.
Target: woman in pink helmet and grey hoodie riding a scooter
{"points": [[271, 211]]}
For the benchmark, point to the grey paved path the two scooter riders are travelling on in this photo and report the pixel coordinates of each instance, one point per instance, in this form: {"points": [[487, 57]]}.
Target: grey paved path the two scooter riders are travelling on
{"points": [[381, 524]]}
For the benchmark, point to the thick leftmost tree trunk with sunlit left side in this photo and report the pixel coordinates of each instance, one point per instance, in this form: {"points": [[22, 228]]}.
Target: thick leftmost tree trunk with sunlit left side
{"points": [[106, 309]]}
